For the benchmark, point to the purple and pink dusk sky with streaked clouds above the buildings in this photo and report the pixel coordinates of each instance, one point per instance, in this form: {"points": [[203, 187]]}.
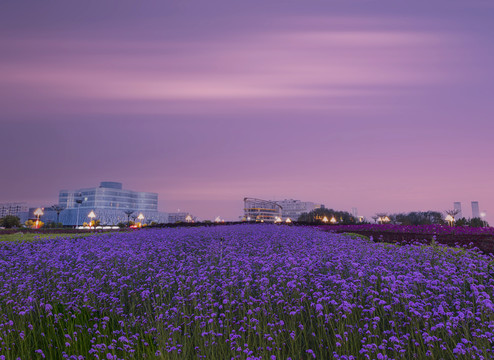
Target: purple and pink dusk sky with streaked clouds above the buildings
{"points": [[379, 105]]}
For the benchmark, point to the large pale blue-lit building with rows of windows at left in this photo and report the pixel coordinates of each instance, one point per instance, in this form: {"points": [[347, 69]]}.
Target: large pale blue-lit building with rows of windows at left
{"points": [[110, 202]]}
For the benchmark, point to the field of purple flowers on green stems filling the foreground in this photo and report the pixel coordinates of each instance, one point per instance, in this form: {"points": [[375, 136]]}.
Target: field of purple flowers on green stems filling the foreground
{"points": [[243, 292]]}
